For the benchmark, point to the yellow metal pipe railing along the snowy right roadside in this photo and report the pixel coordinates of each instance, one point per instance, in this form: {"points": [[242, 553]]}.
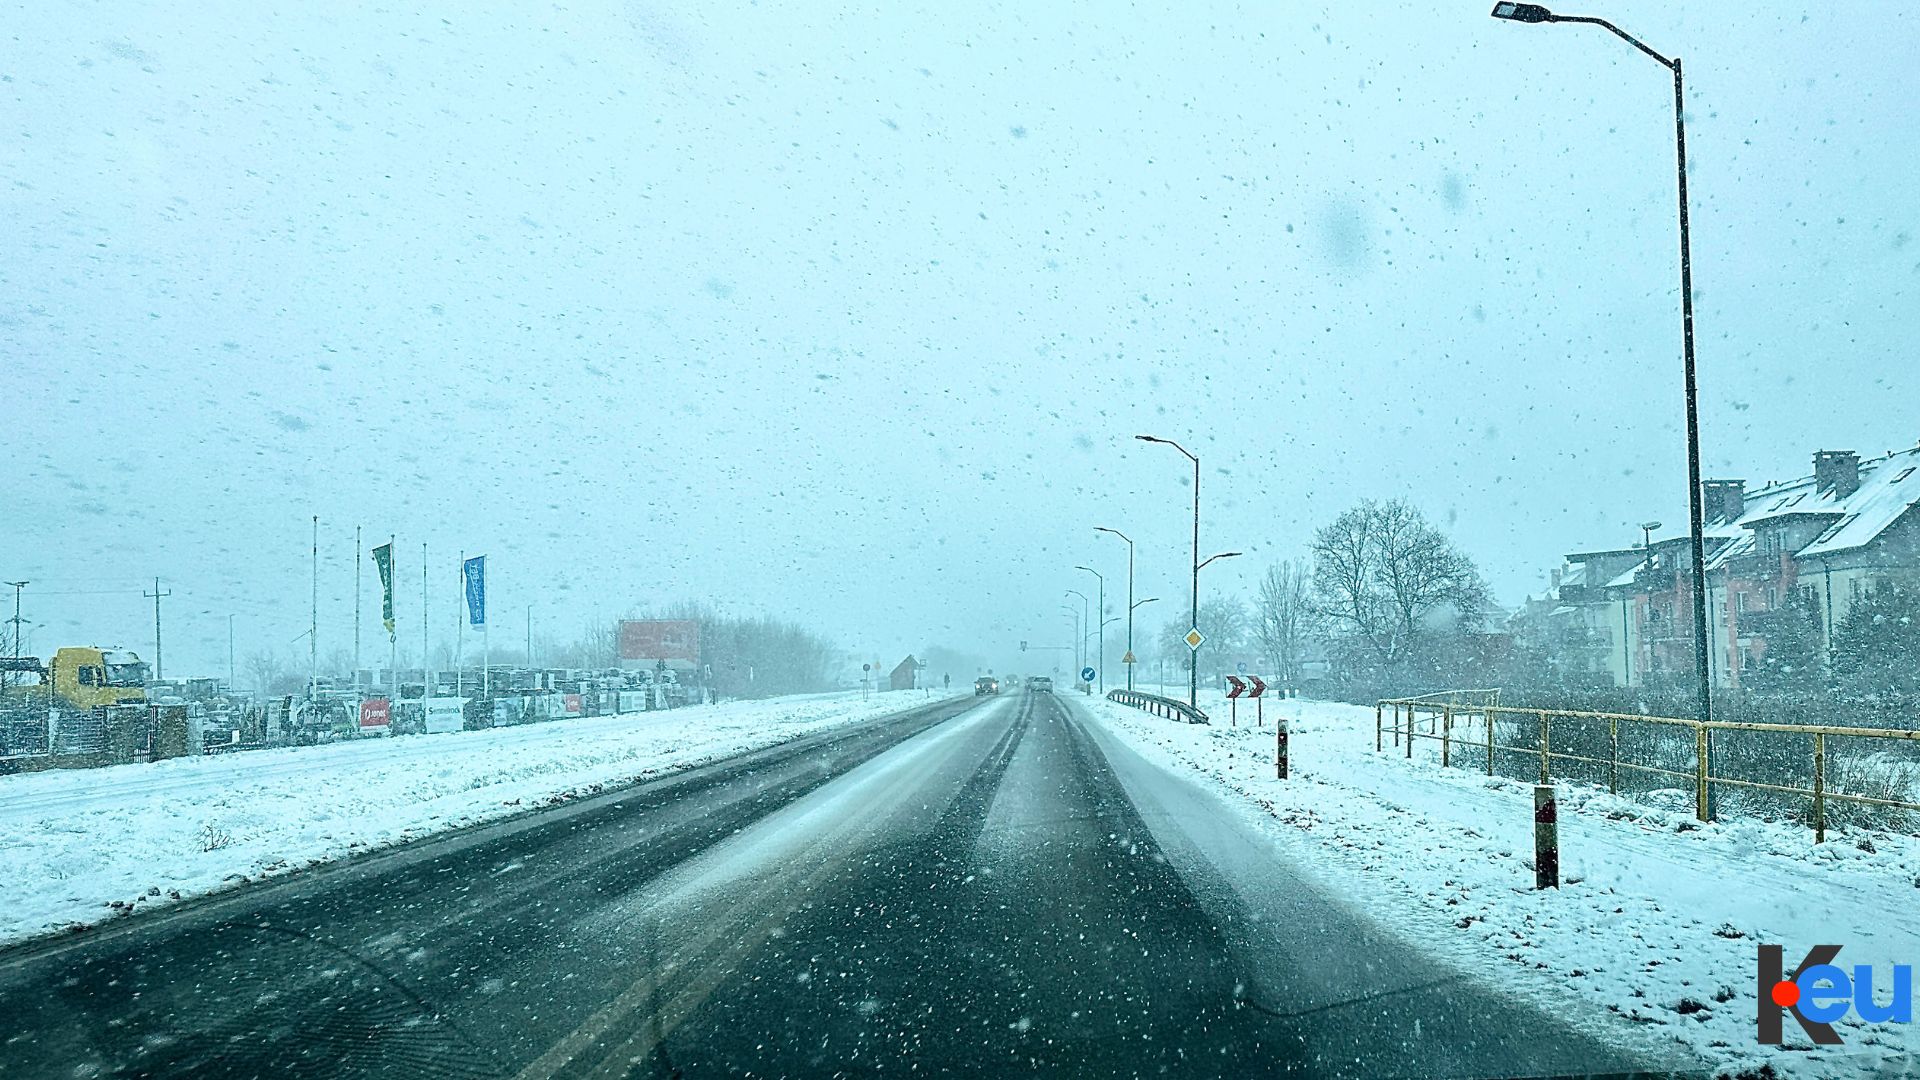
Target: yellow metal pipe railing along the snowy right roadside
{"points": [[1810, 773]]}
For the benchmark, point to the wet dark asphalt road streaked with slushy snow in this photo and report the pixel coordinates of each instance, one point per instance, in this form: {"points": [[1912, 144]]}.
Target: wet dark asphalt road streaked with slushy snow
{"points": [[967, 889]]}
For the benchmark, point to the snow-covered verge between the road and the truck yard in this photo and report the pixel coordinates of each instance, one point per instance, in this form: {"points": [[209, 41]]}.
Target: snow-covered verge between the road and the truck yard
{"points": [[89, 845]]}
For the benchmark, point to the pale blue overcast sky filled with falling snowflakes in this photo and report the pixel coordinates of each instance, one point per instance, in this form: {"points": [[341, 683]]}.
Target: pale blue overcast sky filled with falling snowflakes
{"points": [[850, 314]]}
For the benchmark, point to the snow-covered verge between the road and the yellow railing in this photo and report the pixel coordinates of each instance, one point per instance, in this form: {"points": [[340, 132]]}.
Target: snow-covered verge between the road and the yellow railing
{"points": [[1658, 920]]}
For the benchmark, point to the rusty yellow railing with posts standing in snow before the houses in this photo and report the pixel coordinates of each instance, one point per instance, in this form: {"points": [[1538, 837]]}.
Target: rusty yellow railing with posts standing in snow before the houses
{"points": [[1683, 750]]}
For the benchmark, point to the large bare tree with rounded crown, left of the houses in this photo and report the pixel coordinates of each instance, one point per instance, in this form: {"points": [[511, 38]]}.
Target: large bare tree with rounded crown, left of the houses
{"points": [[1381, 570]]}
